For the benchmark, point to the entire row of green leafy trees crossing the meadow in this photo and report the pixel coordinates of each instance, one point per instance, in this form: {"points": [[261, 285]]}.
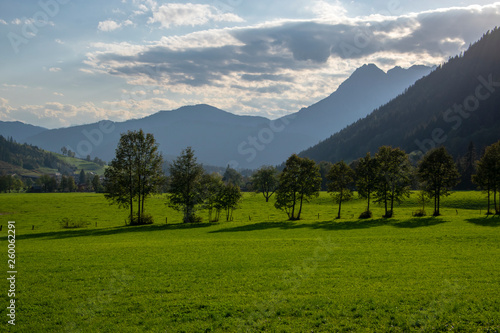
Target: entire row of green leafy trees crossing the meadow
{"points": [[386, 178]]}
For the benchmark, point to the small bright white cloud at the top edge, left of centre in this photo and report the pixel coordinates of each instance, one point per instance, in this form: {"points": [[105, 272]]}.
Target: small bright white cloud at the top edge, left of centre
{"points": [[188, 14]]}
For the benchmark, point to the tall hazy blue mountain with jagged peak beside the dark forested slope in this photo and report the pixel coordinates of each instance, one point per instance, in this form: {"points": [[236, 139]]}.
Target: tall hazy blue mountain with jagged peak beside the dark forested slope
{"points": [[366, 89]]}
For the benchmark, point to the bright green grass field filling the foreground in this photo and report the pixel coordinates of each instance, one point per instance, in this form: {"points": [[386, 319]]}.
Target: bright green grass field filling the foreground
{"points": [[259, 273]]}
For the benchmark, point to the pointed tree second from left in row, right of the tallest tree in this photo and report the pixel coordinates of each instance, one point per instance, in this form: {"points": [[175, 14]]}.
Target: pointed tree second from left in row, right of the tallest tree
{"points": [[185, 176]]}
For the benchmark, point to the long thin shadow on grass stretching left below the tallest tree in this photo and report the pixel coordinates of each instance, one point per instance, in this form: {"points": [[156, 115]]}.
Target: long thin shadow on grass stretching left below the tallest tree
{"points": [[111, 231]]}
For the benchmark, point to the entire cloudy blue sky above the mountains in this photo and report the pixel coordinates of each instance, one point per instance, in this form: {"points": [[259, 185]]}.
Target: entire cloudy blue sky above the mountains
{"points": [[71, 62]]}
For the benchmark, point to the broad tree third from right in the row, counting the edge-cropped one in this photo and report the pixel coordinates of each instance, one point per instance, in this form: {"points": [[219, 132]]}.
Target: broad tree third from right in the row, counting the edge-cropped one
{"points": [[393, 182]]}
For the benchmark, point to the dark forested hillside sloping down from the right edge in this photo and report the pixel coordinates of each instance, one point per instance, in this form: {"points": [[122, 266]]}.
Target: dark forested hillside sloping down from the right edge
{"points": [[454, 105]]}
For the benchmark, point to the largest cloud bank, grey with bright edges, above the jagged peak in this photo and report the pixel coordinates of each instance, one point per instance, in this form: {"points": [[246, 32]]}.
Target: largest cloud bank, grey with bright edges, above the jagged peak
{"points": [[287, 63]]}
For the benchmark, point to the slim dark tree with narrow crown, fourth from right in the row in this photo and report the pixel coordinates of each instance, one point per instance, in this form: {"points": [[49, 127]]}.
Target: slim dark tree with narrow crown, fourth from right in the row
{"points": [[366, 178]]}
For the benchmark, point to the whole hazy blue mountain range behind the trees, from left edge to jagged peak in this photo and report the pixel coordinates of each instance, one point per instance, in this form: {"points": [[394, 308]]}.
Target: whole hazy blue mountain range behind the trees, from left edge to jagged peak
{"points": [[220, 138]]}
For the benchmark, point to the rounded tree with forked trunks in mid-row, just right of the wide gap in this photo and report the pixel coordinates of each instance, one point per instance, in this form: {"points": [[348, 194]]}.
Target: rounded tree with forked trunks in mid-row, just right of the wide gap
{"points": [[299, 181]]}
